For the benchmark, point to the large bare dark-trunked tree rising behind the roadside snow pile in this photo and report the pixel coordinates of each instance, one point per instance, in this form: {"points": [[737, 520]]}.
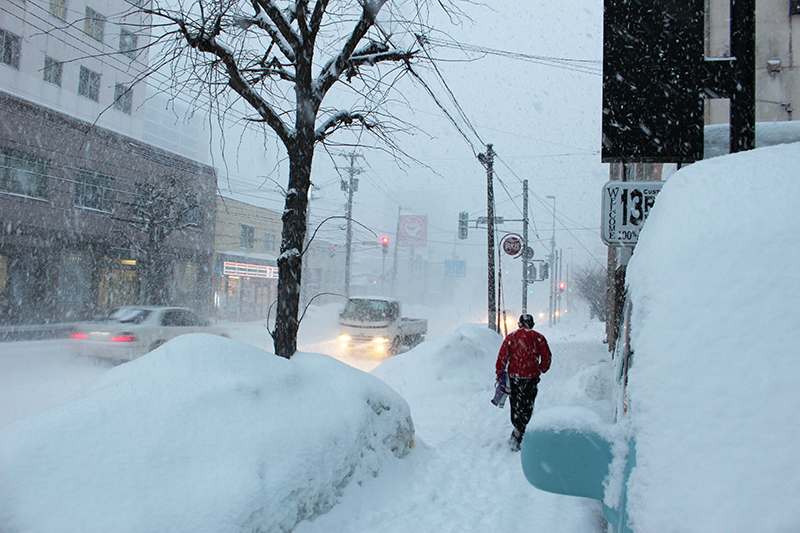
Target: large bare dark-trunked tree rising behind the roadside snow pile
{"points": [[282, 58]]}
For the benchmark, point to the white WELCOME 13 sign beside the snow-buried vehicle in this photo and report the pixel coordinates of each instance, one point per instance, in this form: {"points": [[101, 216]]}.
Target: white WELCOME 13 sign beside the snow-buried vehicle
{"points": [[626, 205]]}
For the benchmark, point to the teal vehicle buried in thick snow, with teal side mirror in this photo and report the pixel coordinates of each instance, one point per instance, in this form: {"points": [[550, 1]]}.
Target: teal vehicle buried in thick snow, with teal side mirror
{"points": [[707, 404]]}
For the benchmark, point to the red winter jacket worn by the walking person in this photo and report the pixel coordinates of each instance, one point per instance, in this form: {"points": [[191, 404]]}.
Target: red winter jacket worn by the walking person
{"points": [[525, 354]]}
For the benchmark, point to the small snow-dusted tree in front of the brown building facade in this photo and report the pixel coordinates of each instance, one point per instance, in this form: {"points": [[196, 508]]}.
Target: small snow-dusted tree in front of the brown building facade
{"points": [[159, 208]]}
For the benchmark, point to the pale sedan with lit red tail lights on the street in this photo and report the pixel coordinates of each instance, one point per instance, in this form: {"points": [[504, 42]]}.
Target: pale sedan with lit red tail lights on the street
{"points": [[132, 331]]}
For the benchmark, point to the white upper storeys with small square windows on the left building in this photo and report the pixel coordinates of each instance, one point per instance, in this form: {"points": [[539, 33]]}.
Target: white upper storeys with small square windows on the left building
{"points": [[79, 57]]}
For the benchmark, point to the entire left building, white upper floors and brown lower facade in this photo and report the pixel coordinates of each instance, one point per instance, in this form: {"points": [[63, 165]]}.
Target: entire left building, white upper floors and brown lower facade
{"points": [[72, 167]]}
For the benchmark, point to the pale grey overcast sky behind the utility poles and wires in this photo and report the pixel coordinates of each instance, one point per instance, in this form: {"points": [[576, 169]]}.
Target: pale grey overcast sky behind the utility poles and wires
{"points": [[529, 82]]}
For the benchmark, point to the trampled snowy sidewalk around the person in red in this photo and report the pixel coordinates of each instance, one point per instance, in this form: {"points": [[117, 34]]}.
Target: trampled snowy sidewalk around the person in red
{"points": [[462, 476]]}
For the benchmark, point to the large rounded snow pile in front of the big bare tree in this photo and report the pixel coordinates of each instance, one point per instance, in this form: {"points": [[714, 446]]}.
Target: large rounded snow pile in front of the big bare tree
{"points": [[203, 434]]}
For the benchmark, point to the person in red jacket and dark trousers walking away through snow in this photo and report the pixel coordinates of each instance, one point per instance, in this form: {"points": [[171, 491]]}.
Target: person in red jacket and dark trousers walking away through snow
{"points": [[525, 355]]}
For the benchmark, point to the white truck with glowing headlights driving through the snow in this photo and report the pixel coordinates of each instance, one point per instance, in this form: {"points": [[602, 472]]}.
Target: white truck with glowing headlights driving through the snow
{"points": [[374, 324]]}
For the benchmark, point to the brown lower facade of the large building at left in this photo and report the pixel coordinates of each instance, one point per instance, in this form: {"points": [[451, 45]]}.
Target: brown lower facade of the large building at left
{"points": [[69, 246]]}
